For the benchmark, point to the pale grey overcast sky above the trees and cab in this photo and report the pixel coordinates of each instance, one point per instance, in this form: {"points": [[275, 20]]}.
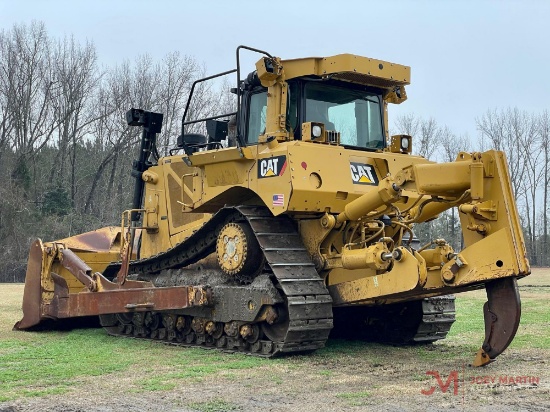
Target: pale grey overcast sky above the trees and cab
{"points": [[466, 56]]}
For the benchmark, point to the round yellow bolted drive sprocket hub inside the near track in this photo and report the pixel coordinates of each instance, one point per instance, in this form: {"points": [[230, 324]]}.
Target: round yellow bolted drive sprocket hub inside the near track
{"points": [[238, 251]]}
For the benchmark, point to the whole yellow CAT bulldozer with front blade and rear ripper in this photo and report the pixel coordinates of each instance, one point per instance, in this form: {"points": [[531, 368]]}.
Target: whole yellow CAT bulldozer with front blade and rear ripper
{"points": [[268, 228]]}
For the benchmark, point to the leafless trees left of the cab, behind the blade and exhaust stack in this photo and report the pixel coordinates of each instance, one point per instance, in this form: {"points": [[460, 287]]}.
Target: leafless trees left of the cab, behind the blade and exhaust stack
{"points": [[66, 150]]}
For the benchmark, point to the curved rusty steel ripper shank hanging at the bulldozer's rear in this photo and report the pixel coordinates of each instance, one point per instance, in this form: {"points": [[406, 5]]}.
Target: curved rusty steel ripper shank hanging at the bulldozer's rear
{"points": [[502, 313]]}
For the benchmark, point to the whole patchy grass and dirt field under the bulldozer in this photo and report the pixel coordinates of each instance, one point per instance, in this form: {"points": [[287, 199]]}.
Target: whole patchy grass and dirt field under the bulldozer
{"points": [[86, 370]]}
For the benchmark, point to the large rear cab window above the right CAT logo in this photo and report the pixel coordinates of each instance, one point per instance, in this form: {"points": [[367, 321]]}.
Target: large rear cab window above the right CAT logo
{"points": [[355, 114]]}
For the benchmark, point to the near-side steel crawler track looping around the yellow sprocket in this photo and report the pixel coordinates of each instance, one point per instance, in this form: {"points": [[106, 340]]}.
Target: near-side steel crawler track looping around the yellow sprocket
{"points": [[304, 319]]}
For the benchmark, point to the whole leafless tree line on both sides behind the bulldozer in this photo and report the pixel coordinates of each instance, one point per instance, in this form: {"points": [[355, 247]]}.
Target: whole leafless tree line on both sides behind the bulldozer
{"points": [[66, 151]]}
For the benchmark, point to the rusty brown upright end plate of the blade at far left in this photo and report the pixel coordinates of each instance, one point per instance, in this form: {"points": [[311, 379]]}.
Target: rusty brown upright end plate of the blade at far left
{"points": [[32, 293]]}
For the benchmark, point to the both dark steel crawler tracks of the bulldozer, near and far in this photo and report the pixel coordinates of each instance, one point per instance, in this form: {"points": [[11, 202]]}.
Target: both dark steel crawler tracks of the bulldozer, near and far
{"points": [[305, 319]]}
